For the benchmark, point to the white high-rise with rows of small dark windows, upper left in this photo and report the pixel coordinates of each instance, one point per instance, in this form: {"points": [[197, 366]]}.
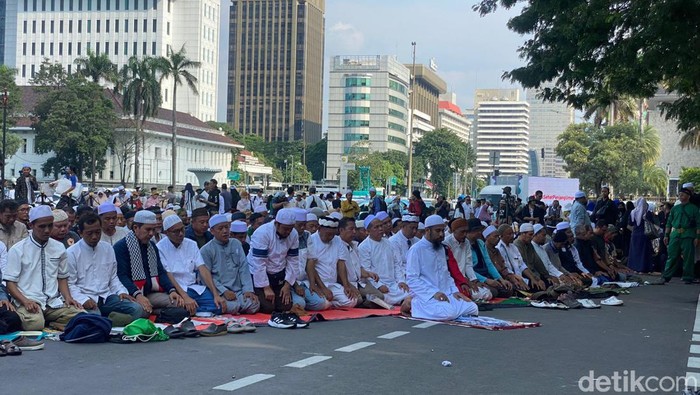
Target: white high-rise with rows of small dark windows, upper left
{"points": [[64, 30]]}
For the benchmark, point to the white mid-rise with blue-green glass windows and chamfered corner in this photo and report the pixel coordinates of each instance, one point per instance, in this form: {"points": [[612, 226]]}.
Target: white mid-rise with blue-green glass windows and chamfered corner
{"points": [[367, 107]]}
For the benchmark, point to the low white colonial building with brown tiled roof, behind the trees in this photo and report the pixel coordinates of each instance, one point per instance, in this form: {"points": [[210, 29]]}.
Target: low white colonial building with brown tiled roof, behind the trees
{"points": [[199, 147]]}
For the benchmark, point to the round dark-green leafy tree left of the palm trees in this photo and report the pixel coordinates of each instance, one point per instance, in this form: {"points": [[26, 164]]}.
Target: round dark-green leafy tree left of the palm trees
{"points": [[75, 123]]}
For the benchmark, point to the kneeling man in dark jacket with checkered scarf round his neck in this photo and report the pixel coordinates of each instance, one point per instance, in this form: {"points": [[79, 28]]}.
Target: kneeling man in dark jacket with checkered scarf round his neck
{"points": [[140, 270]]}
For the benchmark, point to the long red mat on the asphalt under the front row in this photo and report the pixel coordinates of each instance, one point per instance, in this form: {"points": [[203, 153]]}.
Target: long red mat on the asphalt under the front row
{"points": [[260, 319]]}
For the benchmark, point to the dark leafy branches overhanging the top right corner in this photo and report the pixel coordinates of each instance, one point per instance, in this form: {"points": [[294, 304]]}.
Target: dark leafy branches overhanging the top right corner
{"points": [[591, 48]]}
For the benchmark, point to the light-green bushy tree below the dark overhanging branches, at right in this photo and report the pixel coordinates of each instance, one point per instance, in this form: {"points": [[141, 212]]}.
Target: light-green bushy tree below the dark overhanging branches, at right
{"points": [[613, 155]]}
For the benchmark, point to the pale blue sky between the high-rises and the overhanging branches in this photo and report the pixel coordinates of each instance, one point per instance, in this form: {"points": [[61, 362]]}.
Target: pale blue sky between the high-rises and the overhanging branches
{"points": [[471, 51]]}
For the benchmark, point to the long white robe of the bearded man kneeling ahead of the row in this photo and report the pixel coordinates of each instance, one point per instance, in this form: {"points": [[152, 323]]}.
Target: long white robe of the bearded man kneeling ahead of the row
{"points": [[427, 274]]}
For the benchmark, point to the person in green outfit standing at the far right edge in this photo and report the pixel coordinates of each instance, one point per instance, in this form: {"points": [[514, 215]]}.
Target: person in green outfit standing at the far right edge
{"points": [[682, 237]]}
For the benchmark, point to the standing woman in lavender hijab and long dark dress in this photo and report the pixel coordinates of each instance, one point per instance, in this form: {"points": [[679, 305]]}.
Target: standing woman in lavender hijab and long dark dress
{"points": [[640, 251]]}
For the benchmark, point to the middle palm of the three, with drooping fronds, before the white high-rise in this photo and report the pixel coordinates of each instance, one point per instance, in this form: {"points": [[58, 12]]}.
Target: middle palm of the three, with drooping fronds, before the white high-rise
{"points": [[141, 97]]}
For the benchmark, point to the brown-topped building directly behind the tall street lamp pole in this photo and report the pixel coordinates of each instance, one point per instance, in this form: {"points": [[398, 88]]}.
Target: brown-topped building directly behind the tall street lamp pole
{"points": [[427, 88]]}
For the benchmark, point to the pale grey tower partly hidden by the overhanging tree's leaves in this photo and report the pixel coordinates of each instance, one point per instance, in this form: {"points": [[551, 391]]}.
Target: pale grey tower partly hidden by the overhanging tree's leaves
{"points": [[547, 121]]}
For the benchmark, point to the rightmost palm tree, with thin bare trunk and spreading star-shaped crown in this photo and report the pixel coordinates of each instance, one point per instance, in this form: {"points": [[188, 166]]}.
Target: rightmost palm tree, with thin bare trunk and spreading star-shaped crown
{"points": [[176, 66]]}
